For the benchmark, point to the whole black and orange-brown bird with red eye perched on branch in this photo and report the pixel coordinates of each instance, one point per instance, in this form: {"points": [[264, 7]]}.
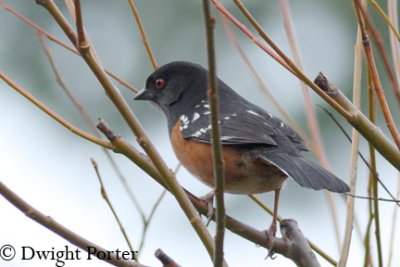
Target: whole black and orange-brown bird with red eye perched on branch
{"points": [[259, 150]]}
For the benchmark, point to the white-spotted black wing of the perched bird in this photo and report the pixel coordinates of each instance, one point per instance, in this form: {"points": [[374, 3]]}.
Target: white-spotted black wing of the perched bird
{"points": [[245, 125]]}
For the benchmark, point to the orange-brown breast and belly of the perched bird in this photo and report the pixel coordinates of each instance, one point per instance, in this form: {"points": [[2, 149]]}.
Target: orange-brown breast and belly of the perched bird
{"points": [[243, 174]]}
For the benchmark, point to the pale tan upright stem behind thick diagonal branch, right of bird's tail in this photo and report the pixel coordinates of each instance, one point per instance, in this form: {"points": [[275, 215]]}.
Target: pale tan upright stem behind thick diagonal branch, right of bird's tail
{"points": [[354, 155]]}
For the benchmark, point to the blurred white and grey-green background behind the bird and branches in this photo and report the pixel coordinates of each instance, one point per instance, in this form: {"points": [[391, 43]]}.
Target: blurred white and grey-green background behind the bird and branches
{"points": [[50, 167]]}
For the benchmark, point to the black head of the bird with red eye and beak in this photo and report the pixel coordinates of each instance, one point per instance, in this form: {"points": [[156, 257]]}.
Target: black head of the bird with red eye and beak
{"points": [[175, 88]]}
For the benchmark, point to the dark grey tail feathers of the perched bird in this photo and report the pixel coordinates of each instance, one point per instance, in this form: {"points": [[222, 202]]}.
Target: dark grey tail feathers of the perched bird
{"points": [[306, 172]]}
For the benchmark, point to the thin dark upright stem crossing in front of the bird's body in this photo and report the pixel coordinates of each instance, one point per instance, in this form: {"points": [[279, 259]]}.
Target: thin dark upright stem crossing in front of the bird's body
{"points": [[216, 143]]}
